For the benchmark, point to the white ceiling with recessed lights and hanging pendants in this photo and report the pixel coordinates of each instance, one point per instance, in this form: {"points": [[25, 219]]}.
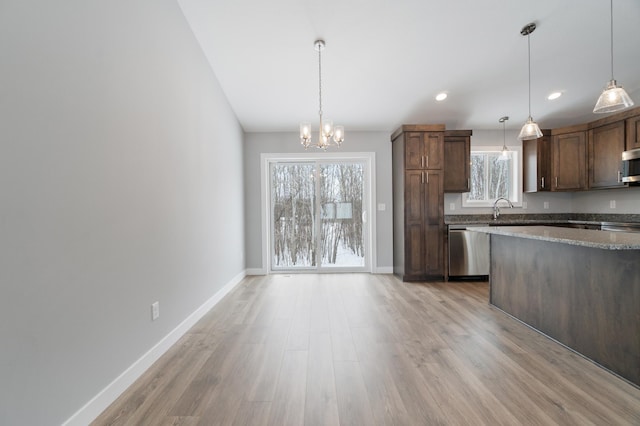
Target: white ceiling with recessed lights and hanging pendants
{"points": [[385, 60]]}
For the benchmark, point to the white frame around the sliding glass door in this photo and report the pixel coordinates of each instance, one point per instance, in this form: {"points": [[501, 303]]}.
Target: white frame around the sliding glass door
{"points": [[265, 193]]}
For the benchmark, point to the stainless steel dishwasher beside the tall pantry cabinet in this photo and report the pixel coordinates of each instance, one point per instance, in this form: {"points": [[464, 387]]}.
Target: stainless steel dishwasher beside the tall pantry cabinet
{"points": [[468, 252]]}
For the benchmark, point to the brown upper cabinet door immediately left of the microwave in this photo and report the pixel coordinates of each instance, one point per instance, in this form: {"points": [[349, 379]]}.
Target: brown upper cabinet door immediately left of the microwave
{"points": [[606, 144]]}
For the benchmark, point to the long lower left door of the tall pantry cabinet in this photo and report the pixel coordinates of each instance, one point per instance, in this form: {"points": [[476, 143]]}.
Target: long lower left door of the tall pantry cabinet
{"points": [[414, 214]]}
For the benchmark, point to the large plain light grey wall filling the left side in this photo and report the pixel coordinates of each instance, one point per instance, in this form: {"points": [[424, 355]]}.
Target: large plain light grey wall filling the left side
{"points": [[120, 185]]}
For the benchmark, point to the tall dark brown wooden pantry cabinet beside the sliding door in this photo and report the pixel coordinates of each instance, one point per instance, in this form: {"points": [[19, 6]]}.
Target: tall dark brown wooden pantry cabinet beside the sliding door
{"points": [[418, 202]]}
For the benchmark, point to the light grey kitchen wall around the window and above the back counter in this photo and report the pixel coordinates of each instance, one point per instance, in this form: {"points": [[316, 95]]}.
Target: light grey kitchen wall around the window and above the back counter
{"points": [[597, 201]]}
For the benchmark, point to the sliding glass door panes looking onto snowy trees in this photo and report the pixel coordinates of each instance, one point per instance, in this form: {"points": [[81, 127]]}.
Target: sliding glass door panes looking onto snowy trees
{"points": [[318, 215]]}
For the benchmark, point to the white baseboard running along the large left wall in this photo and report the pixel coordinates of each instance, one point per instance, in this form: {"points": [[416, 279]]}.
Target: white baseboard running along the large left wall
{"points": [[104, 398]]}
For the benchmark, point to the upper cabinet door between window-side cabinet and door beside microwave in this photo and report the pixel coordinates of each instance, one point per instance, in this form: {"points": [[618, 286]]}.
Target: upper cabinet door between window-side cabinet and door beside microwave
{"points": [[568, 156]]}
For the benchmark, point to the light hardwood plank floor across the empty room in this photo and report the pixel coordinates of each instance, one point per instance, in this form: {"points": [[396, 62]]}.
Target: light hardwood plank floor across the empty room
{"points": [[360, 349]]}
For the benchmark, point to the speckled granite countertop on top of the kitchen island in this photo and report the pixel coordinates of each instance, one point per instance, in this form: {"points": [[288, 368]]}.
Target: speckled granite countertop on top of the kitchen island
{"points": [[607, 240]]}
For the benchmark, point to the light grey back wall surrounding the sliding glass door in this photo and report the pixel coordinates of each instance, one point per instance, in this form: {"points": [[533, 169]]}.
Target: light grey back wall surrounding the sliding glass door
{"points": [[258, 143]]}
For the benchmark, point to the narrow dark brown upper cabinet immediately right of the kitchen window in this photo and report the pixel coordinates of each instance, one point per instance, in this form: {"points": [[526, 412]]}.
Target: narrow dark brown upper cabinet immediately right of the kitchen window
{"points": [[536, 165]]}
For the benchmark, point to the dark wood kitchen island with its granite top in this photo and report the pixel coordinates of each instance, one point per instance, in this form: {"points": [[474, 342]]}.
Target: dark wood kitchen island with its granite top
{"points": [[579, 287]]}
